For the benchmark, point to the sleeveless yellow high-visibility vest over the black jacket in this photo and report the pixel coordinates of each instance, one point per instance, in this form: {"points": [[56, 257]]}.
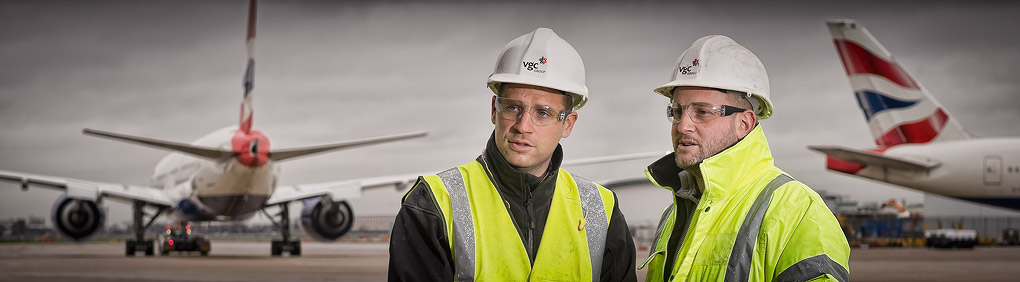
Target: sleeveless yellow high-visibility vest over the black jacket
{"points": [[486, 246]]}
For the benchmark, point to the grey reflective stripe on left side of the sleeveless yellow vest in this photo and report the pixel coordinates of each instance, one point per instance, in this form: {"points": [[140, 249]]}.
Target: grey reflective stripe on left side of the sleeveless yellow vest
{"points": [[464, 225]]}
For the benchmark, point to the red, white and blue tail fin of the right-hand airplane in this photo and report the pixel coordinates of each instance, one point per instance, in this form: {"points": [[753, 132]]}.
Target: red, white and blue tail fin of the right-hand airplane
{"points": [[898, 109]]}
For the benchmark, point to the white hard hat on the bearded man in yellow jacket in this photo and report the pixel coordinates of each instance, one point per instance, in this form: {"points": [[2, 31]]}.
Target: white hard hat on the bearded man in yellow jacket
{"points": [[719, 62]]}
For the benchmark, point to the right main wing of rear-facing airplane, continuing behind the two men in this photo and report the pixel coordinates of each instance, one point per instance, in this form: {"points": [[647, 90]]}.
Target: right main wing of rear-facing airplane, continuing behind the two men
{"points": [[353, 189]]}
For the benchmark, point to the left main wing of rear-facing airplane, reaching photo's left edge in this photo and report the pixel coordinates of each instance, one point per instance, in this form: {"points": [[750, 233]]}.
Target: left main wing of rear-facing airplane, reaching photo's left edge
{"points": [[90, 191]]}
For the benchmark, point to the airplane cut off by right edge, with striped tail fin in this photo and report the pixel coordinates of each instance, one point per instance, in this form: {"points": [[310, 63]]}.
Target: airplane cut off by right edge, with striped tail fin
{"points": [[920, 145]]}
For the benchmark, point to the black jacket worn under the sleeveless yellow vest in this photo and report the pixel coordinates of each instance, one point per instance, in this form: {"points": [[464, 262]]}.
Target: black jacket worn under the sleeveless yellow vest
{"points": [[420, 249]]}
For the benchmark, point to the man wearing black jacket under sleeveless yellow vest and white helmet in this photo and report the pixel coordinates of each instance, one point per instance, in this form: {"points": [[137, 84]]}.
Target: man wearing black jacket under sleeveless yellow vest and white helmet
{"points": [[513, 215]]}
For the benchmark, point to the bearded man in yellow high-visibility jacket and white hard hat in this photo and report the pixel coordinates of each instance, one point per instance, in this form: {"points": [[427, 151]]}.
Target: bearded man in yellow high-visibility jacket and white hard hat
{"points": [[736, 217]]}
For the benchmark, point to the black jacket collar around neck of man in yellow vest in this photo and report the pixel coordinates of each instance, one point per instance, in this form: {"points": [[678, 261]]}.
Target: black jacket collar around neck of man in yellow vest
{"points": [[517, 181]]}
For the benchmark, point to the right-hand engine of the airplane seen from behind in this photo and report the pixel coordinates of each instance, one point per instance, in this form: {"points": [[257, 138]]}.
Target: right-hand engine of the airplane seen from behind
{"points": [[327, 222]]}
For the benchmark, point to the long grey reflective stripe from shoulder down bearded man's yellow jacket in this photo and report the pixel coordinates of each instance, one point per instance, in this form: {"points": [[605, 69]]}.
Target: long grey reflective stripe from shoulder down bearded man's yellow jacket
{"points": [[744, 247]]}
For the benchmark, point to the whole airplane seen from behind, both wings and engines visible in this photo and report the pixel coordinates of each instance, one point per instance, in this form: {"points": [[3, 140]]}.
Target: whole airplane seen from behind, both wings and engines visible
{"points": [[228, 175]]}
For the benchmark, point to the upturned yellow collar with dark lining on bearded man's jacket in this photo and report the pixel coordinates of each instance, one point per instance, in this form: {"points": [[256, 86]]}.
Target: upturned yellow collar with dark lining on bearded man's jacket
{"points": [[723, 173]]}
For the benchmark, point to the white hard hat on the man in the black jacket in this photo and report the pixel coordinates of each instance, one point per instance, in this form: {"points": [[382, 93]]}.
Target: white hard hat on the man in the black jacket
{"points": [[542, 59]]}
